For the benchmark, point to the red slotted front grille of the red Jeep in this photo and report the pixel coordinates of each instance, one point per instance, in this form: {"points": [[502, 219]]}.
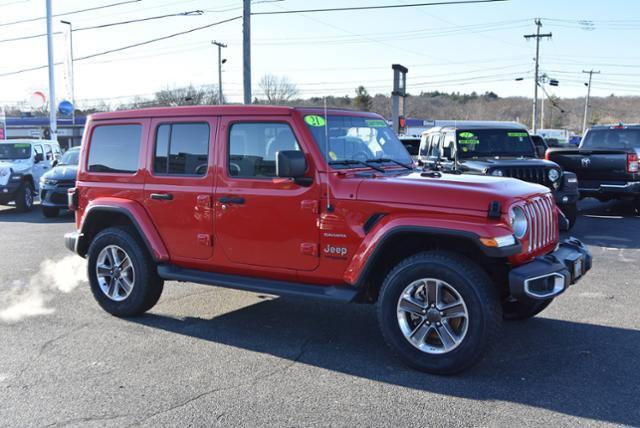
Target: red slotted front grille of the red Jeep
{"points": [[543, 224]]}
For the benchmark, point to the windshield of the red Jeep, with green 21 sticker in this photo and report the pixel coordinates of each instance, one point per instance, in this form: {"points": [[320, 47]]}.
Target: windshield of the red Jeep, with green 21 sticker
{"points": [[355, 139]]}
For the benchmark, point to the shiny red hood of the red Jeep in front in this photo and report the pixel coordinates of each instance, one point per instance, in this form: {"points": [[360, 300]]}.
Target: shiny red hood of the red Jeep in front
{"points": [[470, 192]]}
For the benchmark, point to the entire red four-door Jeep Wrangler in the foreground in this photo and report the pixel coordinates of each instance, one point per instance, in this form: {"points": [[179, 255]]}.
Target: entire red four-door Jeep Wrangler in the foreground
{"points": [[304, 202]]}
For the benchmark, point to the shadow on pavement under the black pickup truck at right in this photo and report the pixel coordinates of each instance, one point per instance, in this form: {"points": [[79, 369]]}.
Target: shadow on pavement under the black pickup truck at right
{"points": [[610, 224]]}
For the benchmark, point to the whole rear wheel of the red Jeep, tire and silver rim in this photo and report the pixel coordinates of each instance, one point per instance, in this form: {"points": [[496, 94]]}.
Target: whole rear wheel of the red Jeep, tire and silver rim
{"points": [[122, 274]]}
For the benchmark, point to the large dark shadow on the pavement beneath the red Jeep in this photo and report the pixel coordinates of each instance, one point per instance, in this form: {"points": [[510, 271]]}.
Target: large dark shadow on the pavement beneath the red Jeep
{"points": [[556, 365]]}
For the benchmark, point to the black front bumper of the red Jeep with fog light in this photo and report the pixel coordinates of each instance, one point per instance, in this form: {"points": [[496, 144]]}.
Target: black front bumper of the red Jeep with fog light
{"points": [[550, 275]]}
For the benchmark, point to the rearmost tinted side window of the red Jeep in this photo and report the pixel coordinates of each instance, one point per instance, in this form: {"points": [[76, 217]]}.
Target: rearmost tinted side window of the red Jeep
{"points": [[115, 149]]}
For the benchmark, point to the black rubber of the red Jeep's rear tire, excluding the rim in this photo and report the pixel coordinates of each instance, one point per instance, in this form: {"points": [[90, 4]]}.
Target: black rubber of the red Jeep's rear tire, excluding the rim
{"points": [[147, 286]]}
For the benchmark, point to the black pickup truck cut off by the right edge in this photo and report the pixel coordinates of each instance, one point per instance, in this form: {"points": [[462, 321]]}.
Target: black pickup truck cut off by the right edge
{"points": [[606, 163]]}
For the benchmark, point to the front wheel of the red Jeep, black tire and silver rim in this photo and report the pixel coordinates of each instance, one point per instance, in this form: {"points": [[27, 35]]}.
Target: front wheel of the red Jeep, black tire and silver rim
{"points": [[439, 312]]}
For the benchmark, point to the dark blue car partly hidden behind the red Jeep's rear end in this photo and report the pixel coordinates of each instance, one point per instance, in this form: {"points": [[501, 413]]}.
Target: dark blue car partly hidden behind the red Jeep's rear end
{"points": [[55, 183]]}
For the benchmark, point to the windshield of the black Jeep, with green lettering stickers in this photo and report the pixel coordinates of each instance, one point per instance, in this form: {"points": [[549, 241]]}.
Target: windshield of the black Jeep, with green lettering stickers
{"points": [[494, 142]]}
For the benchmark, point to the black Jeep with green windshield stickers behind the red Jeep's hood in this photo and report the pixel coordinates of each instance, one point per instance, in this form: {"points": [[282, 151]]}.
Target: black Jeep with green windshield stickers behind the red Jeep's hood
{"points": [[502, 149]]}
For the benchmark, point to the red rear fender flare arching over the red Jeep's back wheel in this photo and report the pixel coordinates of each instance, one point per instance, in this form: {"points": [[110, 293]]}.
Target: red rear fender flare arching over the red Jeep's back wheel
{"points": [[138, 217]]}
